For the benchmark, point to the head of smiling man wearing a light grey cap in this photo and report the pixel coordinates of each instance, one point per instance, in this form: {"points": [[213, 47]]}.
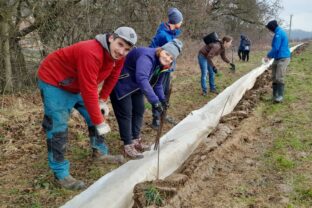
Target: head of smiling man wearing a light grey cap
{"points": [[121, 42]]}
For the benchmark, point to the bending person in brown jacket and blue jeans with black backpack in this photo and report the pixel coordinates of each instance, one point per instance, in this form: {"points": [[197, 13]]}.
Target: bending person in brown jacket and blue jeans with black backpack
{"points": [[205, 56]]}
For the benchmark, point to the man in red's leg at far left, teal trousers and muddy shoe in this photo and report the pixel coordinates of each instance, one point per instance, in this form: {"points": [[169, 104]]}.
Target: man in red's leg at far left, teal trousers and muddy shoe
{"points": [[57, 107]]}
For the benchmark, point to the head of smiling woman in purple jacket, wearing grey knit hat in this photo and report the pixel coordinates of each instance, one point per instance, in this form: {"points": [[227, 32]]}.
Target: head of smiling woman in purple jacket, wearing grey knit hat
{"points": [[169, 52]]}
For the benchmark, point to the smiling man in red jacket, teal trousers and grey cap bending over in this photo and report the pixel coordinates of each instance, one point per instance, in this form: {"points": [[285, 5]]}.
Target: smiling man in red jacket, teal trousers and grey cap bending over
{"points": [[69, 78]]}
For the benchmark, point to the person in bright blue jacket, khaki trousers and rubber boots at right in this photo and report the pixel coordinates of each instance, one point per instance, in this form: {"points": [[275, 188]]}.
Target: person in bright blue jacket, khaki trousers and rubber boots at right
{"points": [[281, 55]]}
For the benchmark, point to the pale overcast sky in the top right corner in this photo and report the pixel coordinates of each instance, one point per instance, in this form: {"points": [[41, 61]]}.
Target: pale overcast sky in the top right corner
{"points": [[301, 11]]}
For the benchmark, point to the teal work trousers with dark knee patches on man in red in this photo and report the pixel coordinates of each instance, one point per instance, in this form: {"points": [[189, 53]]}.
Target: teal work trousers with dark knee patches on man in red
{"points": [[58, 105]]}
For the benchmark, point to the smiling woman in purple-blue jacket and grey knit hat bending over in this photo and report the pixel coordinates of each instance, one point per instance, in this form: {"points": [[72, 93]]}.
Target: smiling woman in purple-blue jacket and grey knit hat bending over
{"points": [[142, 74]]}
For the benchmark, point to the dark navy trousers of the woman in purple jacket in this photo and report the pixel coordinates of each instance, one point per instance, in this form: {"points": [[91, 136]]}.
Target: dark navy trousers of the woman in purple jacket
{"points": [[129, 113]]}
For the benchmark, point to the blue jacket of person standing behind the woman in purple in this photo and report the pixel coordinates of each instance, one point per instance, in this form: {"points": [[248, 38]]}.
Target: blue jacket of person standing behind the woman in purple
{"points": [[164, 35]]}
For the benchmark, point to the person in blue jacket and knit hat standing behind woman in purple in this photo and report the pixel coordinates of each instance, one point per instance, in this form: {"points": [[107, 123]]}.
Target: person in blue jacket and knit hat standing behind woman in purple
{"points": [[167, 31]]}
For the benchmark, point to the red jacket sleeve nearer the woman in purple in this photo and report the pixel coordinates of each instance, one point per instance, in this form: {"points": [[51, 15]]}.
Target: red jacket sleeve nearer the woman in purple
{"points": [[111, 81]]}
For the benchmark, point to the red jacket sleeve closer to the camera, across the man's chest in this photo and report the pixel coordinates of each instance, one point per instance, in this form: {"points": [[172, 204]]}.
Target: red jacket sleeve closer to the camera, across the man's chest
{"points": [[88, 70]]}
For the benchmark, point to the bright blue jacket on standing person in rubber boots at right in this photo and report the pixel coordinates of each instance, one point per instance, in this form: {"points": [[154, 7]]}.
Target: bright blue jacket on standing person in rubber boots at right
{"points": [[279, 45]]}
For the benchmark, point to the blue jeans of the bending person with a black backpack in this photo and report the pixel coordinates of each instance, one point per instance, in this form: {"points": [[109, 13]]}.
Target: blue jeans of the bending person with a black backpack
{"points": [[206, 69]]}
